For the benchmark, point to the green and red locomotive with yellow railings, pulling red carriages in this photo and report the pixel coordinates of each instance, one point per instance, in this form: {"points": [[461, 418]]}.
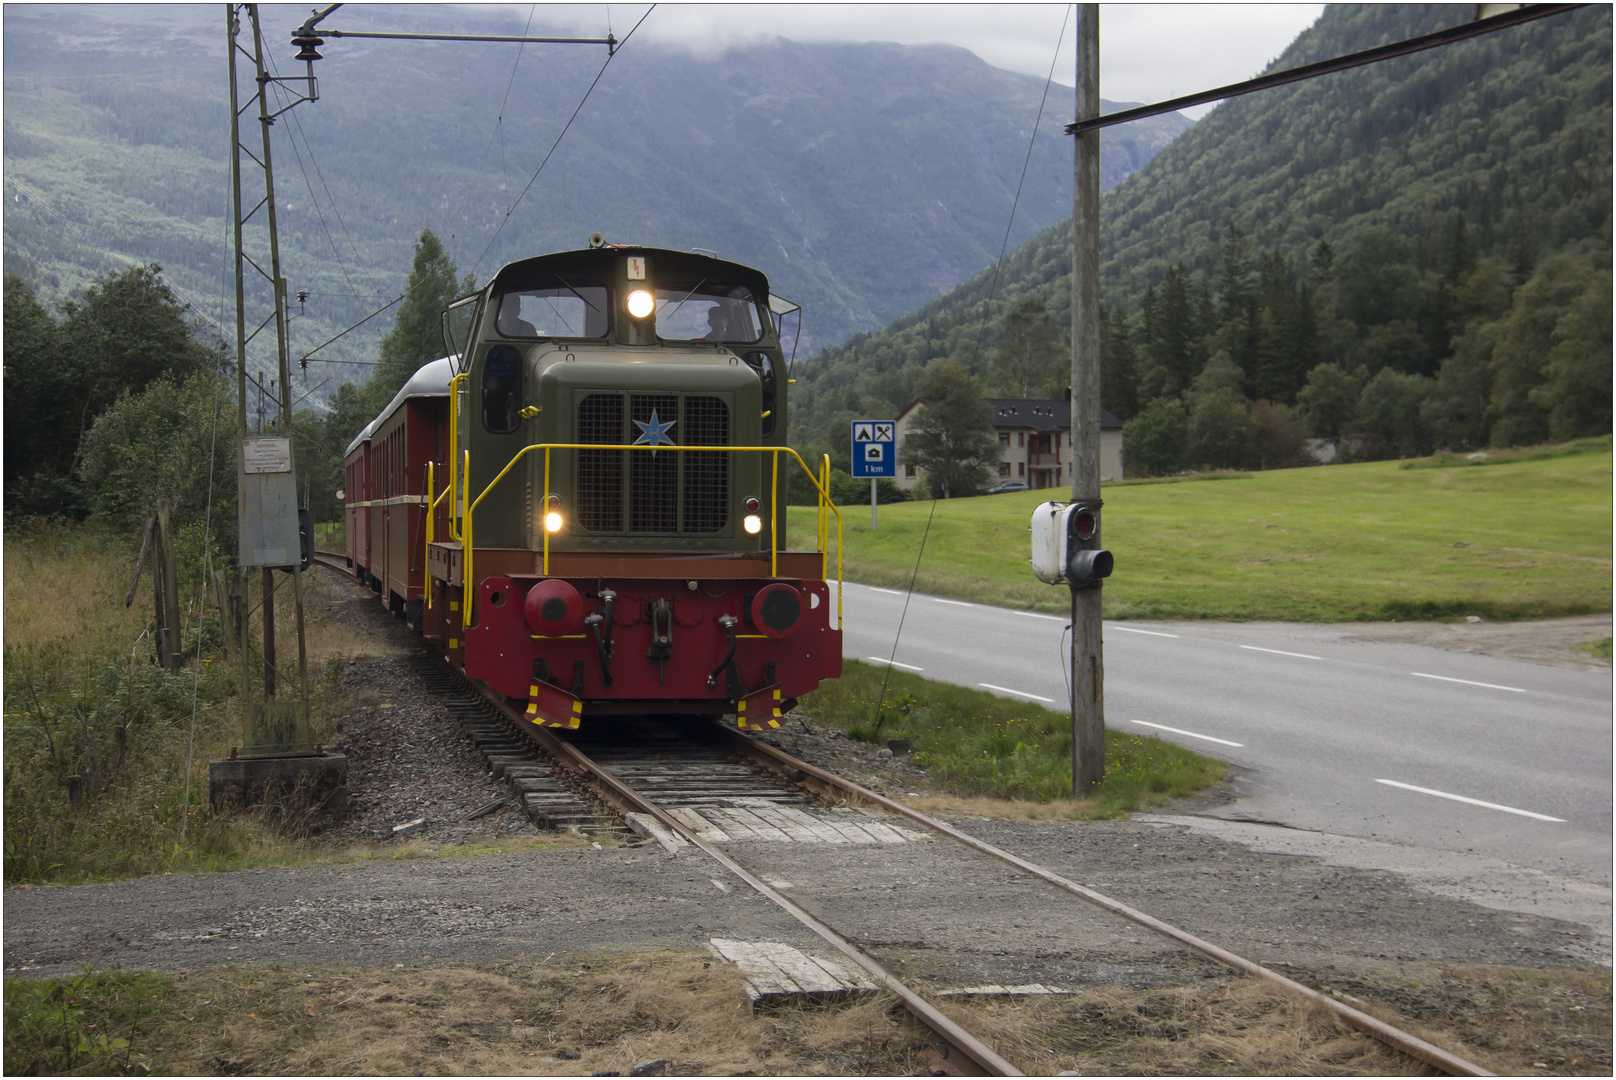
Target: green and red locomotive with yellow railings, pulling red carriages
{"points": [[584, 505]]}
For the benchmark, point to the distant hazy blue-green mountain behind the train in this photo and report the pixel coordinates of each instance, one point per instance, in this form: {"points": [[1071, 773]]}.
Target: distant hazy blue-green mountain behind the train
{"points": [[864, 179]]}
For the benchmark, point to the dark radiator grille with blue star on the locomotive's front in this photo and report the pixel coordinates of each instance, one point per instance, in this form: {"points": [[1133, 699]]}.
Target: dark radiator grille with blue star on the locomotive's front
{"points": [[670, 492]]}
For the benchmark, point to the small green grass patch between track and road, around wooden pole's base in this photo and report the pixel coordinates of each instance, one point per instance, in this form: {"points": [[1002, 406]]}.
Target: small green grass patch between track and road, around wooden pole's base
{"points": [[974, 745]]}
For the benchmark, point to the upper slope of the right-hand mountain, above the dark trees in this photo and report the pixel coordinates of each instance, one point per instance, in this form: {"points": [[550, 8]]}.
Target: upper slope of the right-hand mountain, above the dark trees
{"points": [[1510, 132]]}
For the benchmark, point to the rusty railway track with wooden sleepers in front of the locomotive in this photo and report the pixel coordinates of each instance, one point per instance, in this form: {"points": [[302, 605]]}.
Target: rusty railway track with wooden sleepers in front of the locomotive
{"points": [[659, 780]]}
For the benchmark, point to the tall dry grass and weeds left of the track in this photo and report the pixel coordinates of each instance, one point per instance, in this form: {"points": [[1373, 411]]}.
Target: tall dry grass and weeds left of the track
{"points": [[85, 699]]}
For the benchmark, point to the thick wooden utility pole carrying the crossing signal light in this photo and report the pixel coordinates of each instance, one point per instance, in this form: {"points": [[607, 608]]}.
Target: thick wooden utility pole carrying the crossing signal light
{"points": [[1088, 669]]}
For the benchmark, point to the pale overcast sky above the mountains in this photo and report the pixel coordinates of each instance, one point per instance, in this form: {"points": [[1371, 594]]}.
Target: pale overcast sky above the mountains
{"points": [[1148, 53]]}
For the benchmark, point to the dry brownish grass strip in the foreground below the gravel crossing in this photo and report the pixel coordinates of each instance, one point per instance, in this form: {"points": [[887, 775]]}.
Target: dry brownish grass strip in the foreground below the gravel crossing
{"points": [[607, 1015]]}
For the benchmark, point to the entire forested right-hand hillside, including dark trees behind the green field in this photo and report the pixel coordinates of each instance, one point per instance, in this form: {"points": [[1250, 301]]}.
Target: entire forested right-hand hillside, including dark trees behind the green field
{"points": [[1410, 255]]}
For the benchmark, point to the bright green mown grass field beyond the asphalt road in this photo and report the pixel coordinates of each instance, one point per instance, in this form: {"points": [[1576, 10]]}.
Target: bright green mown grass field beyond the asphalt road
{"points": [[1523, 536]]}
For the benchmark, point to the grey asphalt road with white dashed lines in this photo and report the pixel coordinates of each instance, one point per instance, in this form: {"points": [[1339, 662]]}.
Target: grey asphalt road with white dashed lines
{"points": [[1403, 745]]}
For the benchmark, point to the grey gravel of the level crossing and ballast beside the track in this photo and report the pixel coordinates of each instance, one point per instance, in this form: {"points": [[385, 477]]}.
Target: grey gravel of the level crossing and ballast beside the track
{"points": [[932, 911]]}
